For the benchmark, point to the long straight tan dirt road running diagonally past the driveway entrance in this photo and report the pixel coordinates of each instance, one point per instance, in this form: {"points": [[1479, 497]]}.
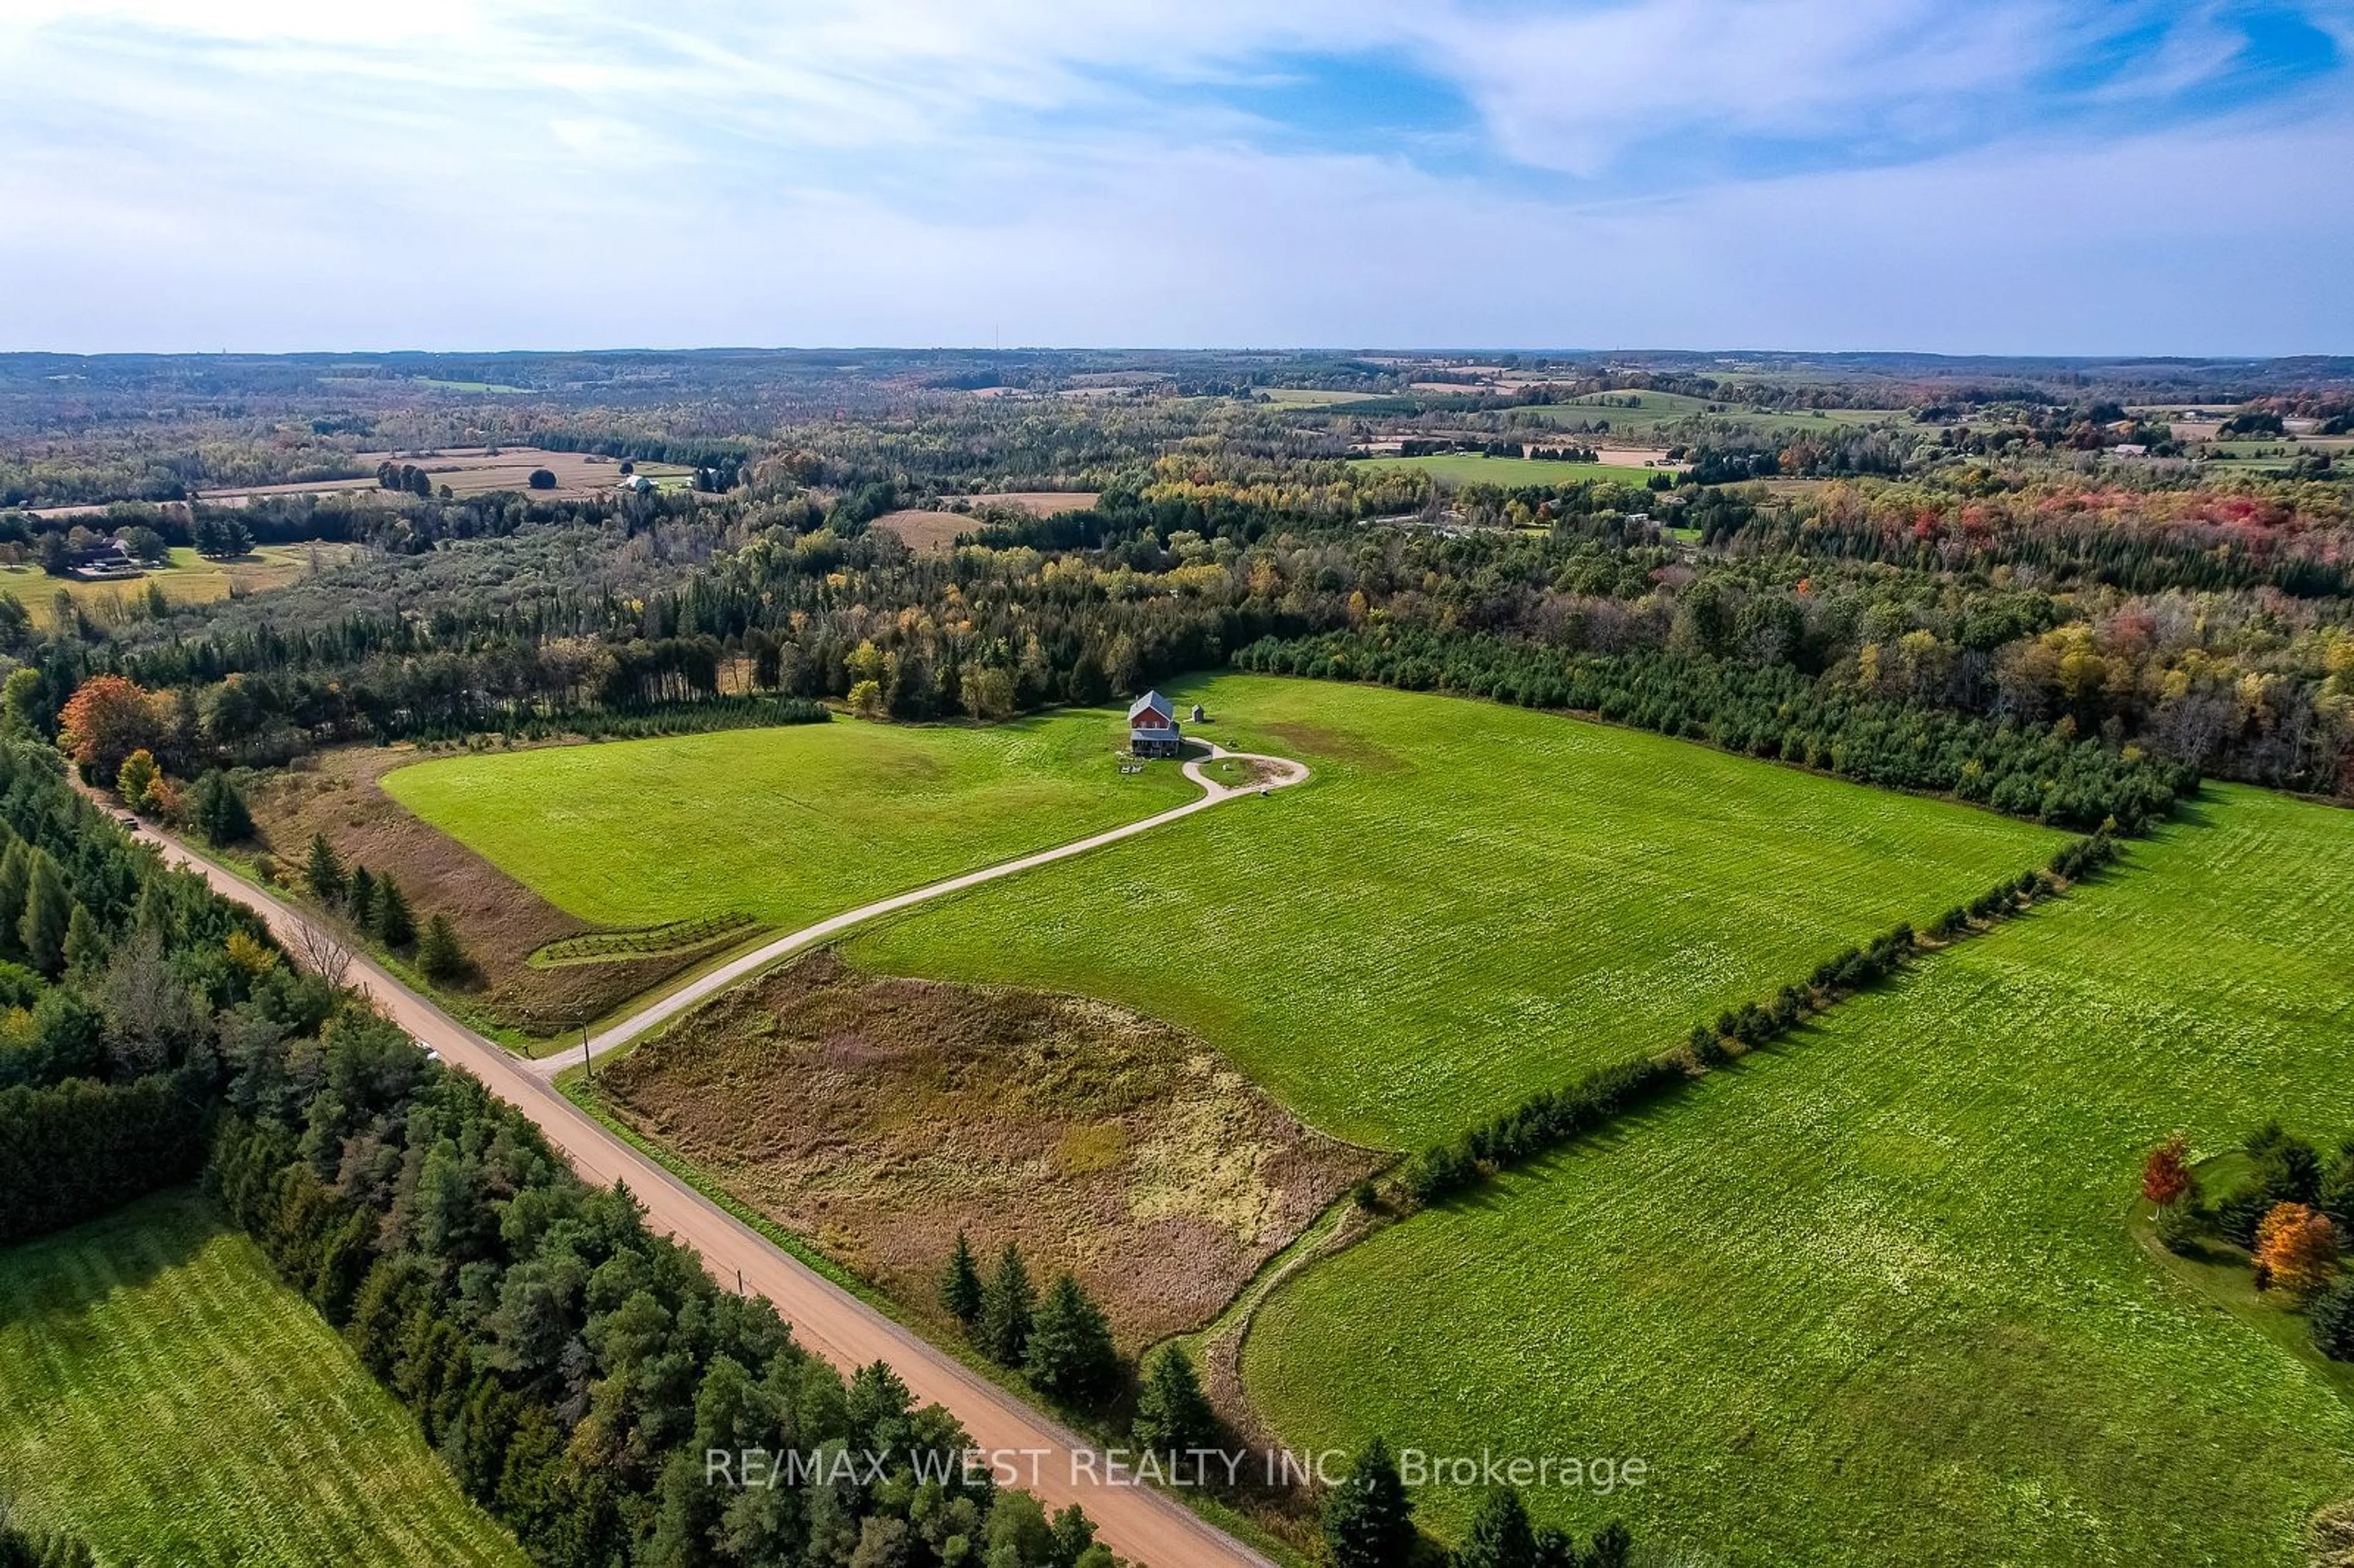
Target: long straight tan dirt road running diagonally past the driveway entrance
{"points": [[1053, 1463]]}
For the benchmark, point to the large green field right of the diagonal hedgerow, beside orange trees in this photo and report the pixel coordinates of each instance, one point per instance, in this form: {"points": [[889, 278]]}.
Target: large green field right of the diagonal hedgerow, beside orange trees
{"points": [[1873, 1298]]}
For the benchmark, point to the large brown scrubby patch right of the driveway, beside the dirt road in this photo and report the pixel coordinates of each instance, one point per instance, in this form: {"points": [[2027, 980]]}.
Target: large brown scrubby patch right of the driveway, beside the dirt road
{"points": [[879, 1117]]}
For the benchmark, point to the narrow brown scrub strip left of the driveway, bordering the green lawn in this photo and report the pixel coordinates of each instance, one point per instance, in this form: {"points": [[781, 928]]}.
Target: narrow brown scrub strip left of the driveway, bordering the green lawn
{"points": [[498, 919]]}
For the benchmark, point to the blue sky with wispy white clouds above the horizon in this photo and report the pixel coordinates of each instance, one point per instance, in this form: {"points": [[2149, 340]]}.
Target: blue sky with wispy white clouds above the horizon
{"points": [[1990, 178]]}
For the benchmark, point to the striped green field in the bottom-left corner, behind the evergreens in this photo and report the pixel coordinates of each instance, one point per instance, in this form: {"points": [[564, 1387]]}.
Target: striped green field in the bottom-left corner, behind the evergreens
{"points": [[171, 1402]]}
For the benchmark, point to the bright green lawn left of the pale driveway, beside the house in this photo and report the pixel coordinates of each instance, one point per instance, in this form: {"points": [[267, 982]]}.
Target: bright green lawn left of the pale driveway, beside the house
{"points": [[790, 825]]}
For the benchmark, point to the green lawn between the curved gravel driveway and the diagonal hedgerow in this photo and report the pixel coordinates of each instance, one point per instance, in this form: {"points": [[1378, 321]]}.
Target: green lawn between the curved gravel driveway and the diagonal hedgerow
{"points": [[1465, 903]]}
